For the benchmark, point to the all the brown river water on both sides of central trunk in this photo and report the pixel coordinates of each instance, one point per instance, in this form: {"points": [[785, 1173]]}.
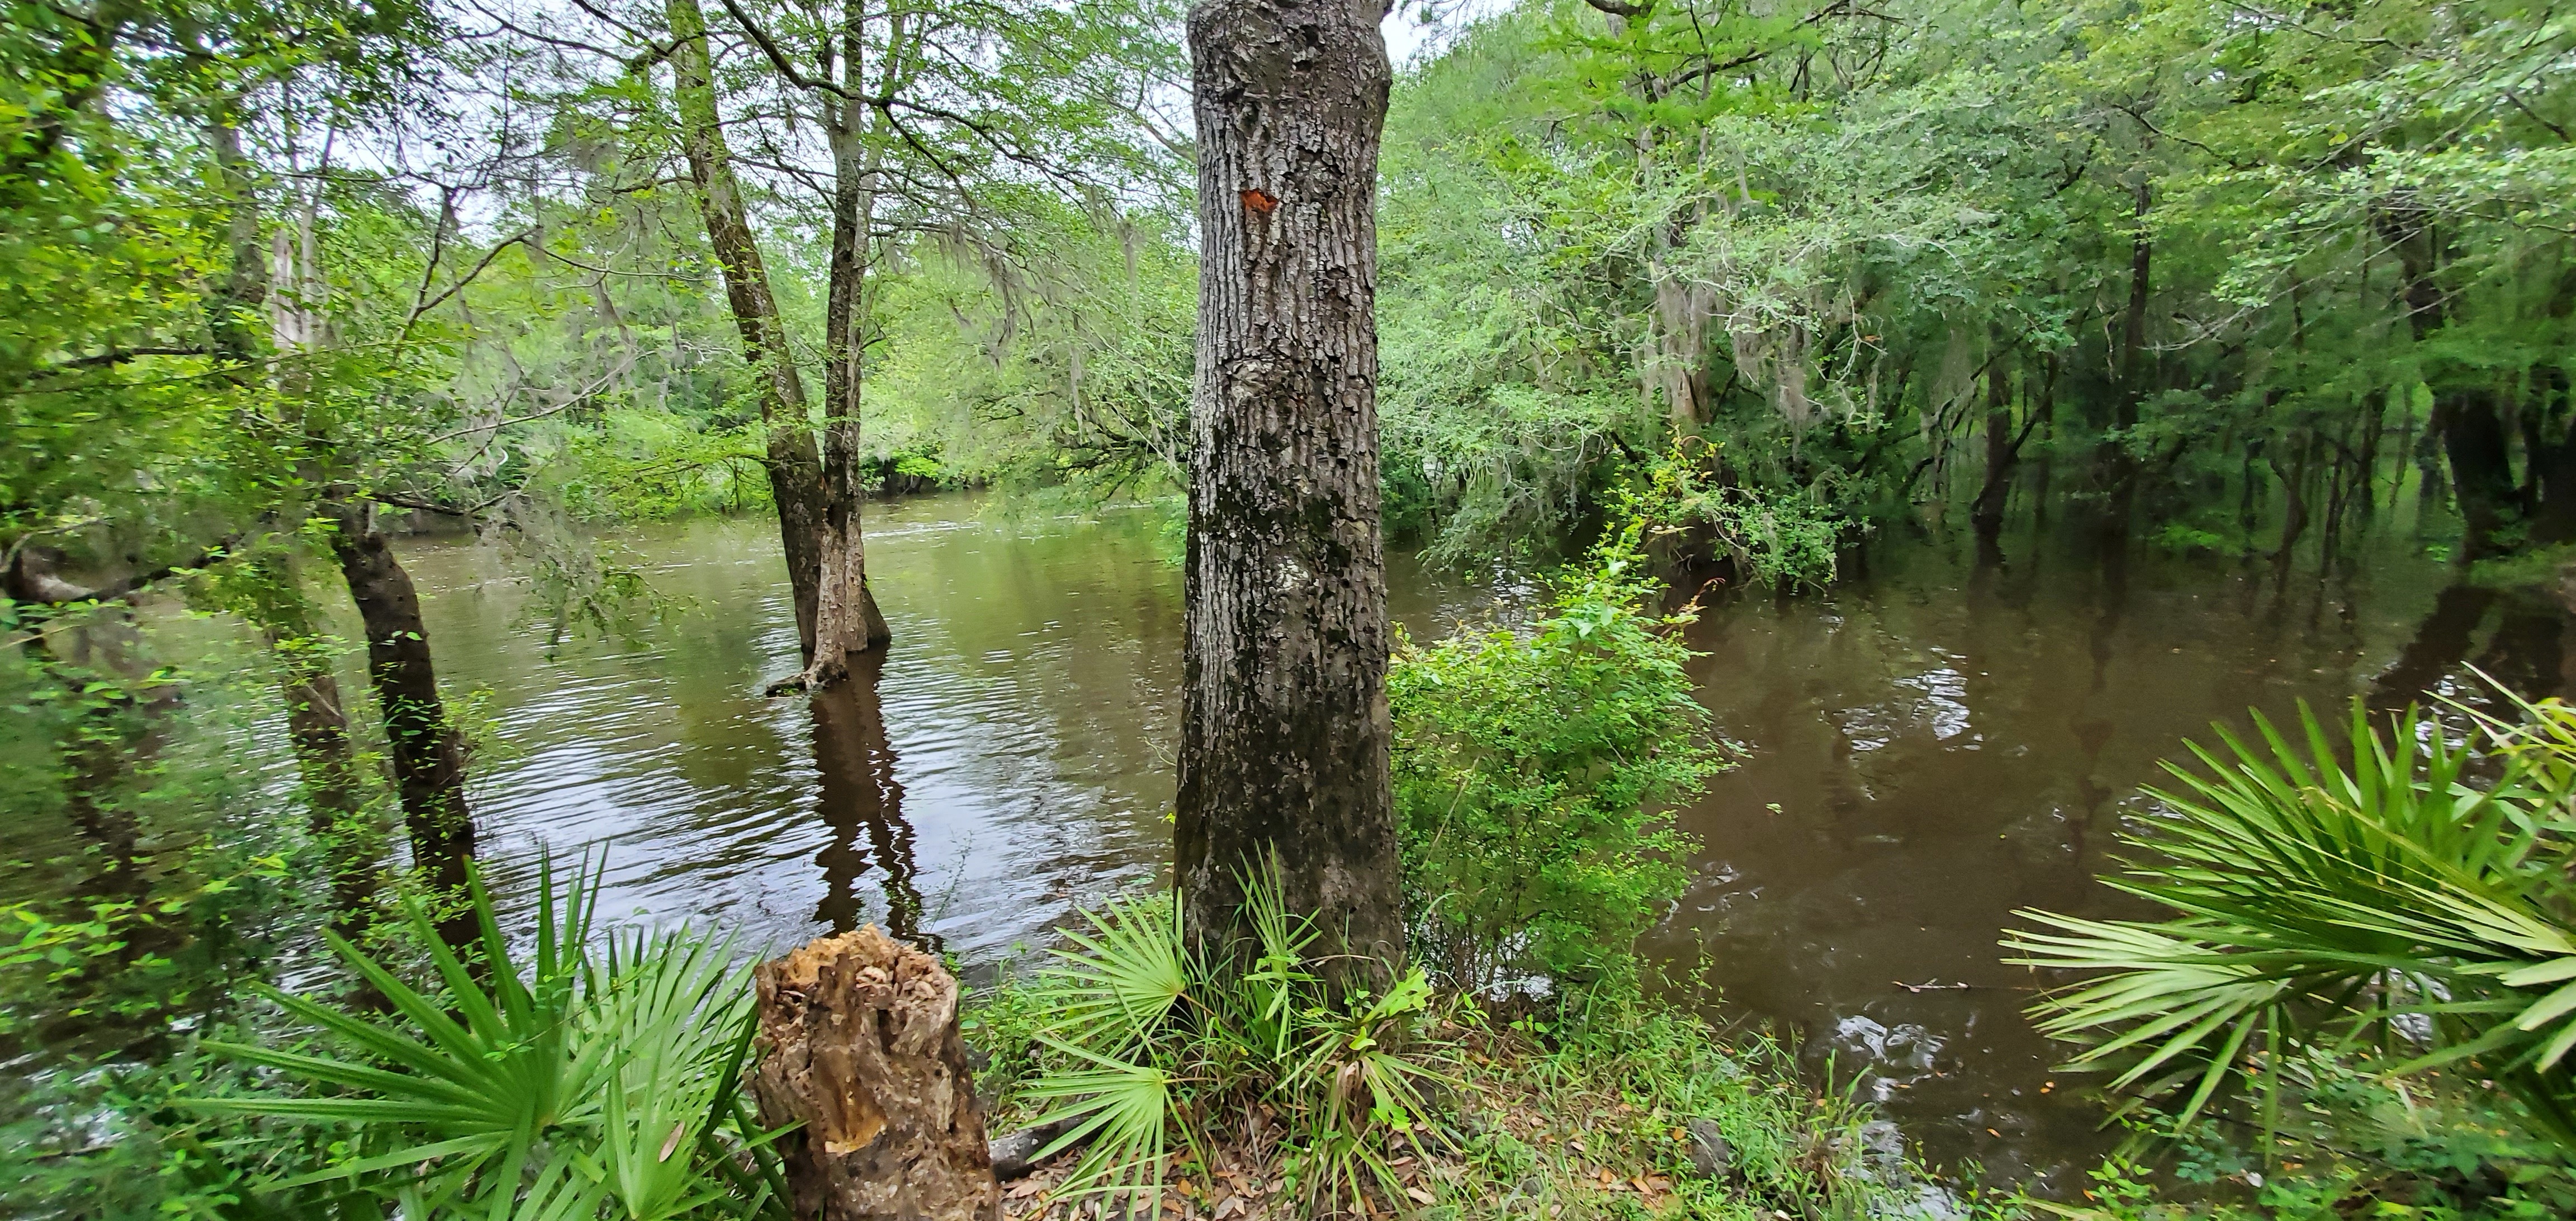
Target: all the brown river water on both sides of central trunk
{"points": [[1926, 751]]}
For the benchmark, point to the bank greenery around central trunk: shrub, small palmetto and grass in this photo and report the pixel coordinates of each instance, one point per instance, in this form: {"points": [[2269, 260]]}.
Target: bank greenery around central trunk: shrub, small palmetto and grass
{"points": [[1521, 1068]]}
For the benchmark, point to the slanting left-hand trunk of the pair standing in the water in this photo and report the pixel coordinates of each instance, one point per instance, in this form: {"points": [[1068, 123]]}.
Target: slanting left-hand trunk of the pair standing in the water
{"points": [[790, 452]]}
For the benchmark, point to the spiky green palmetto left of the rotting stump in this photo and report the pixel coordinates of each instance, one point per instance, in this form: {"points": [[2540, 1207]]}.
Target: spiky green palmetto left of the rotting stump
{"points": [[581, 1083]]}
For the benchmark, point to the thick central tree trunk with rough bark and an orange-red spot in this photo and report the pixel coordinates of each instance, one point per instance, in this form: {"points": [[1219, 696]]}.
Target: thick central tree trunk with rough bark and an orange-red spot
{"points": [[1284, 728]]}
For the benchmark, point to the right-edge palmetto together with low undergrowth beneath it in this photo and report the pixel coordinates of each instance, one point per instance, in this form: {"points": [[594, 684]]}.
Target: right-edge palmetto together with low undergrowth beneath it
{"points": [[2361, 996]]}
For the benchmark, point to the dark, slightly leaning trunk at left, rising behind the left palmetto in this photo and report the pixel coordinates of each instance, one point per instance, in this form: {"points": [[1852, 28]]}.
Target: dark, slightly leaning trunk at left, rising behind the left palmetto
{"points": [[429, 753]]}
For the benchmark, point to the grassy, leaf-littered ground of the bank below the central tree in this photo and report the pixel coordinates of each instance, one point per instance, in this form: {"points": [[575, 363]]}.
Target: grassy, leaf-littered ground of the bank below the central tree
{"points": [[1598, 1106]]}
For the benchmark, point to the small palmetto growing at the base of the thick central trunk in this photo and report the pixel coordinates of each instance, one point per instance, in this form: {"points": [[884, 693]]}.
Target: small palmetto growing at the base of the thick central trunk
{"points": [[1153, 1037]]}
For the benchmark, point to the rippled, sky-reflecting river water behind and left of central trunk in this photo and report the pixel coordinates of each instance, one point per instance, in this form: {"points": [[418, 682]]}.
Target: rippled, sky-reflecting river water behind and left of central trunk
{"points": [[1011, 761]]}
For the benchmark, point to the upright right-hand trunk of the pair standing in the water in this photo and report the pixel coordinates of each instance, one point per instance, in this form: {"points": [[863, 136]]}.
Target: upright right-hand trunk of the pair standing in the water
{"points": [[846, 617]]}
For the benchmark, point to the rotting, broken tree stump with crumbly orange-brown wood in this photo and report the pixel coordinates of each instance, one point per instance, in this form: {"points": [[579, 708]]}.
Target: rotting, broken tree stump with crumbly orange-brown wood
{"points": [[862, 1047]]}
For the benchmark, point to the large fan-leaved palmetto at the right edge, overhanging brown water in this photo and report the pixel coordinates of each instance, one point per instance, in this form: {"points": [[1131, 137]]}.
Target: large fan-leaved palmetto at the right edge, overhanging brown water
{"points": [[2397, 893]]}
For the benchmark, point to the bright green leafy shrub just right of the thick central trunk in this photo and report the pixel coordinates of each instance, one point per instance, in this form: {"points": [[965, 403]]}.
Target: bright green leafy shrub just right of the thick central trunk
{"points": [[1534, 771]]}
